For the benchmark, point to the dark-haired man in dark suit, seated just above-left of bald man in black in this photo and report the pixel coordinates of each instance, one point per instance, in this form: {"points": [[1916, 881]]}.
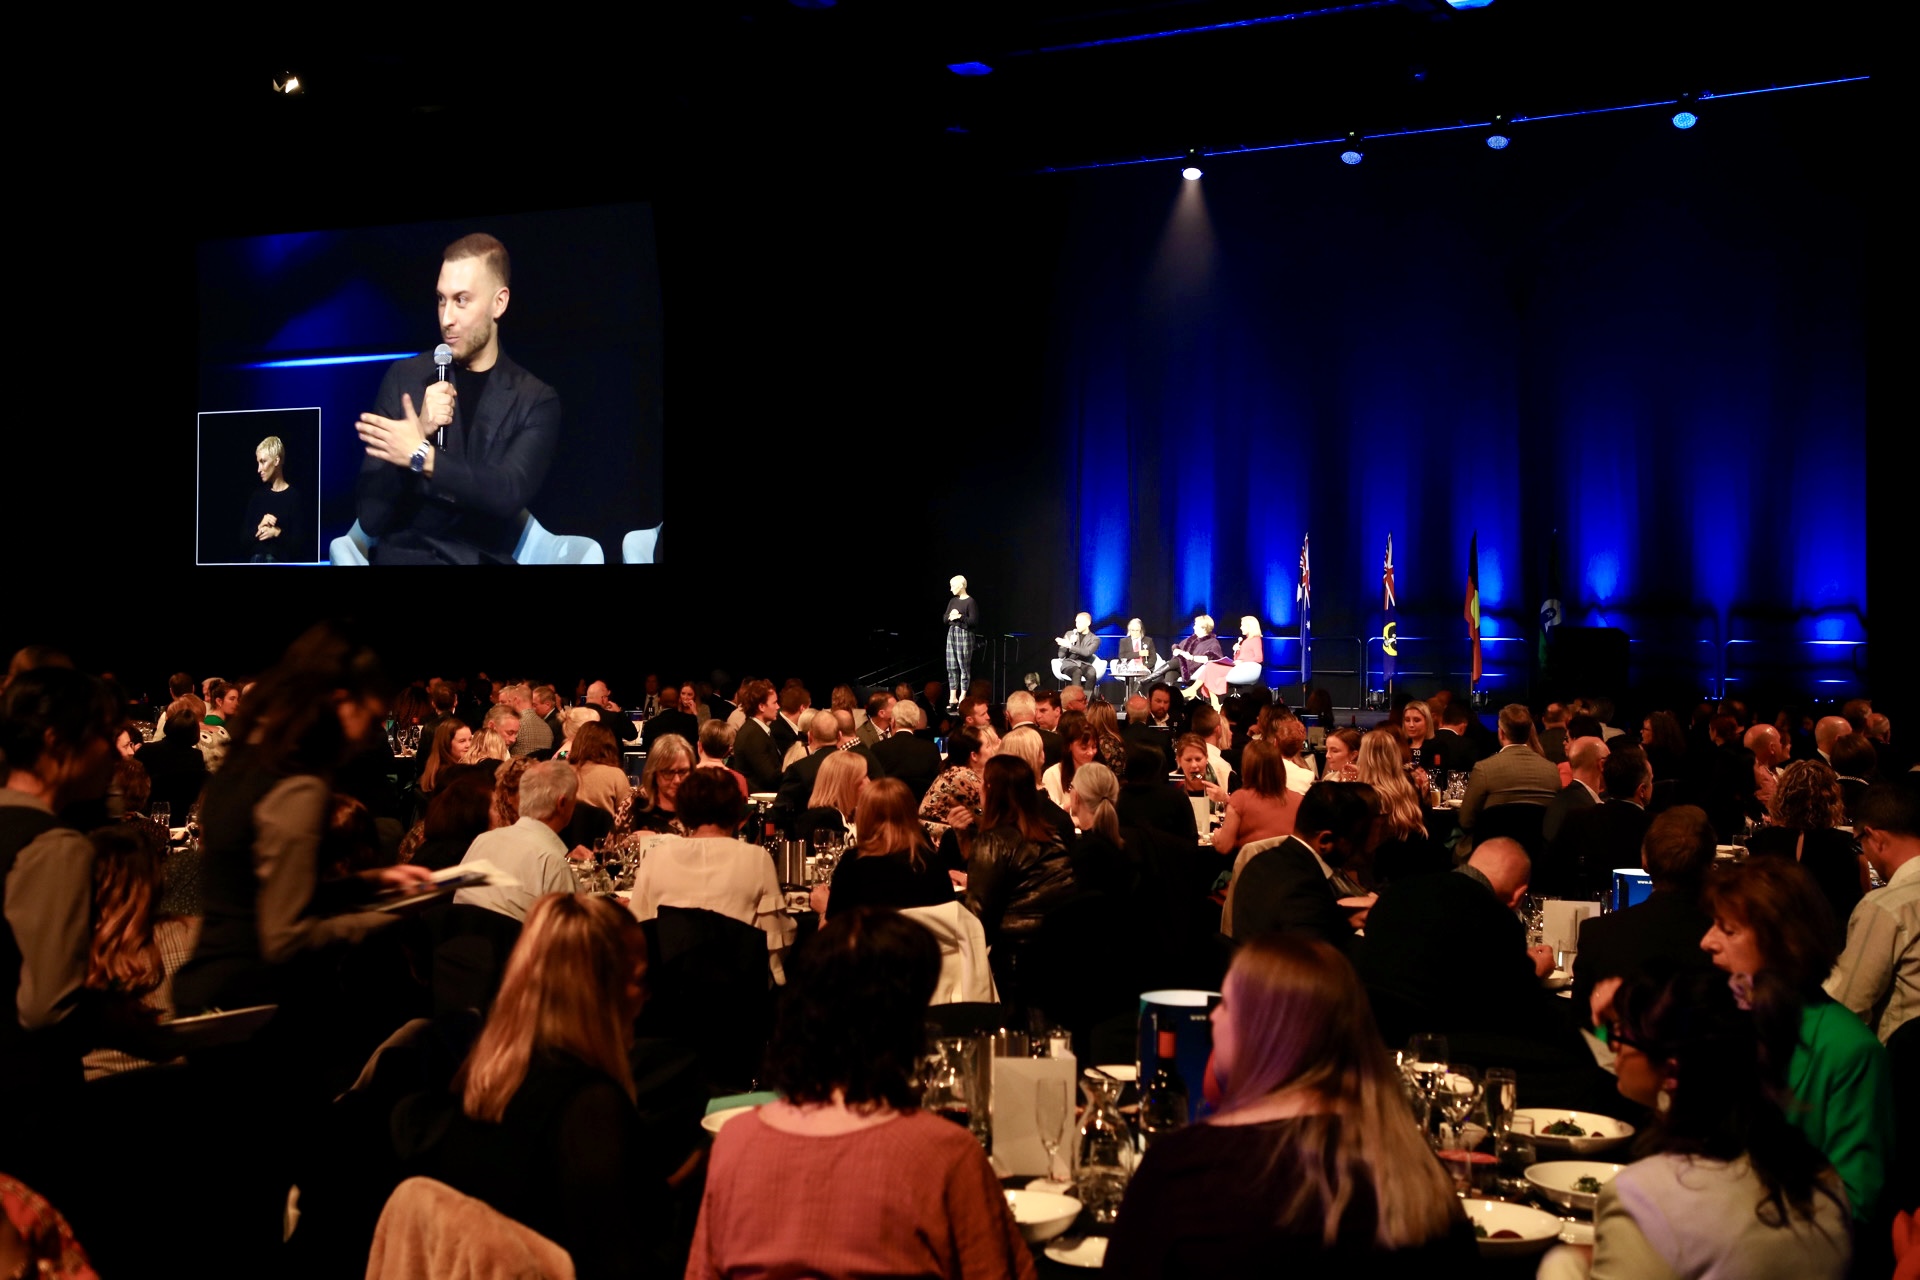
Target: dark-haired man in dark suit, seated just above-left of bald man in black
{"points": [[1287, 889]]}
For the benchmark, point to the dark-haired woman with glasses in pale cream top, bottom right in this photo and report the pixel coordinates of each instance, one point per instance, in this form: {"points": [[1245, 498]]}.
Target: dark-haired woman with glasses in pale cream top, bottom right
{"points": [[1725, 1183]]}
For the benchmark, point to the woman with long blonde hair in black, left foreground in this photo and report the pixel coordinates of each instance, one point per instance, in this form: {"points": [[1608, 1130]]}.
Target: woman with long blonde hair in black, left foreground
{"points": [[540, 1120]]}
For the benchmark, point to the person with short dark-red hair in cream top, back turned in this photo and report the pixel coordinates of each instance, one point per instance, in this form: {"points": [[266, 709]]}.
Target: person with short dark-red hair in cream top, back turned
{"points": [[711, 870]]}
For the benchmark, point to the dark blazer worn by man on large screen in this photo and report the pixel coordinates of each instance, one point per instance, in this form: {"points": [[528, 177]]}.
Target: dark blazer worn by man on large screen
{"points": [[491, 469]]}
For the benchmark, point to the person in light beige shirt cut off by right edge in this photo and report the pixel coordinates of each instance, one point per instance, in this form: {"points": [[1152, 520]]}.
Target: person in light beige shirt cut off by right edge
{"points": [[1879, 974]]}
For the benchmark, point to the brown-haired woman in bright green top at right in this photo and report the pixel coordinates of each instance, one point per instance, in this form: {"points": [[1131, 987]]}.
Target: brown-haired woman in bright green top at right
{"points": [[1771, 918]]}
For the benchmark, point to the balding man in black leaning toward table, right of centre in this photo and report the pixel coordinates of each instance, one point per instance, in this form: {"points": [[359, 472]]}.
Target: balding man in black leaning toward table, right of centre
{"points": [[1449, 955]]}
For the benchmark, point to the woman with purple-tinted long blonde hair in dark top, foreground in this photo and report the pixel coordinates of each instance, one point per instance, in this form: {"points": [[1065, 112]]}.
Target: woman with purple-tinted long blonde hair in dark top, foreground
{"points": [[1312, 1154]]}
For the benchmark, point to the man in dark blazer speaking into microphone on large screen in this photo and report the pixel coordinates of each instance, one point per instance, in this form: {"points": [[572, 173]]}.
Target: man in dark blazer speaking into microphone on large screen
{"points": [[452, 465]]}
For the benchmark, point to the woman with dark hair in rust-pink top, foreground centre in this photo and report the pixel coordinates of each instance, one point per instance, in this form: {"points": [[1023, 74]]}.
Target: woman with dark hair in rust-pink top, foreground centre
{"points": [[848, 1175]]}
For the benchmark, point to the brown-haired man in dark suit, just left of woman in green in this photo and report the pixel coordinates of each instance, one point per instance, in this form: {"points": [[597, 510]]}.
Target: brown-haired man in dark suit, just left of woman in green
{"points": [[1664, 930]]}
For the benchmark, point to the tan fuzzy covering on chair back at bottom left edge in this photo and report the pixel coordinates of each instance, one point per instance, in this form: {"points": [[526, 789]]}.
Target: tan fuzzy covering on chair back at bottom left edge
{"points": [[431, 1231]]}
